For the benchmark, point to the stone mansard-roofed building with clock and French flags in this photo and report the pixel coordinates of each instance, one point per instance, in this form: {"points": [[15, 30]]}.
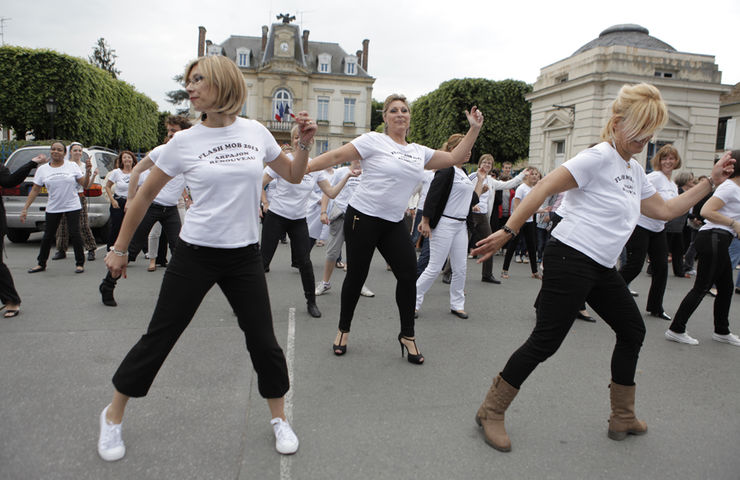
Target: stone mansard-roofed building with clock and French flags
{"points": [[282, 68]]}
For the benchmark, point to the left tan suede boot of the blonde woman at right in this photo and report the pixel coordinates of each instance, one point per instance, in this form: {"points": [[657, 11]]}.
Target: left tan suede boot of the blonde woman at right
{"points": [[490, 415]]}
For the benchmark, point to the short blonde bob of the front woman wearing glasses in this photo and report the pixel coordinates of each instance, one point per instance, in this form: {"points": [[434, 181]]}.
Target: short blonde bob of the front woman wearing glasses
{"points": [[221, 73]]}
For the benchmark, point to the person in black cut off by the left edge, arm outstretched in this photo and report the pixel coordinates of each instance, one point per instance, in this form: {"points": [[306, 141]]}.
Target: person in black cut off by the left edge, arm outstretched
{"points": [[8, 294]]}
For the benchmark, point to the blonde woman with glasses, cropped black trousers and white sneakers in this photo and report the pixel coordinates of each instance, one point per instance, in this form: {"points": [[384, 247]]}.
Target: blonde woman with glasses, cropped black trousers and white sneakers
{"points": [[218, 243]]}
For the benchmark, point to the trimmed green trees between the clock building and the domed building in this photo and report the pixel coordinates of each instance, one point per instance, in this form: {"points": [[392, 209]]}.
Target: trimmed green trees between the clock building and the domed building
{"points": [[505, 133]]}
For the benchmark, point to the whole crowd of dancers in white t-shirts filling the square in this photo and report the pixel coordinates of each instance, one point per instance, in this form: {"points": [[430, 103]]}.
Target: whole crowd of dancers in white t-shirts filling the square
{"points": [[584, 213]]}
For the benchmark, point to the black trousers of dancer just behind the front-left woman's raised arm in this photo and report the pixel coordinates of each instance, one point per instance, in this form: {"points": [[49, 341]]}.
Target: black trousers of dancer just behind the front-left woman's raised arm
{"points": [[273, 227]]}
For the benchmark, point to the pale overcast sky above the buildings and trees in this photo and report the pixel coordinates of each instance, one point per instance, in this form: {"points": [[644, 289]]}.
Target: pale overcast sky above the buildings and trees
{"points": [[414, 45]]}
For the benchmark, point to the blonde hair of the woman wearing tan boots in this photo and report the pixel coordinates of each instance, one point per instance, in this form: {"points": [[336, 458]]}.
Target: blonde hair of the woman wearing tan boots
{"points": [[641, 110]]}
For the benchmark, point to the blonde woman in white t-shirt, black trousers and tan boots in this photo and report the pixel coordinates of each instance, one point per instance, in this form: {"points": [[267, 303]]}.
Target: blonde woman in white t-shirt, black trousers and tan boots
{"points": [[607, 191]]}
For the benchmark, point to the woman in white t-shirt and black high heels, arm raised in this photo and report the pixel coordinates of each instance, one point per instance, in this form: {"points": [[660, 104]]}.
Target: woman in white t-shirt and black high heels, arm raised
{"points": [[391, 168]]}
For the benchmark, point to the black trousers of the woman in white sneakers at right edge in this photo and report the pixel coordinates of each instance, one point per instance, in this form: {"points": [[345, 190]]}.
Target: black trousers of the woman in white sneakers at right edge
{"points": [[714, 268]]}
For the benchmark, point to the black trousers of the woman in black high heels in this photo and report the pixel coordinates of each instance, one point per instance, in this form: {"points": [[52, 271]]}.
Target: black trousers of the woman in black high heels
{"points": [[362, 235]]}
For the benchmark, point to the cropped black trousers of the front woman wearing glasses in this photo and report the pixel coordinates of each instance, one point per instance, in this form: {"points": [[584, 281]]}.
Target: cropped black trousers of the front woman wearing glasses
{"points": [[190, 274]]}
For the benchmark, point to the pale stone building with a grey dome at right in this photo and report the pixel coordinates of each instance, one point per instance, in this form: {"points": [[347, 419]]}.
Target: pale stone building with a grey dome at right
{"points": [[571, 98]]}
